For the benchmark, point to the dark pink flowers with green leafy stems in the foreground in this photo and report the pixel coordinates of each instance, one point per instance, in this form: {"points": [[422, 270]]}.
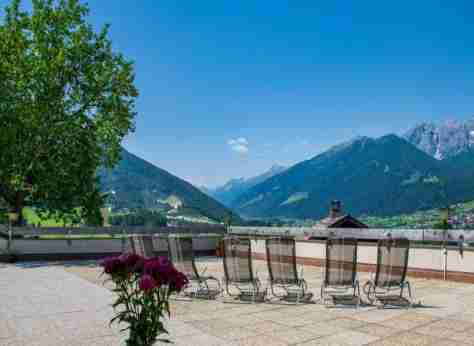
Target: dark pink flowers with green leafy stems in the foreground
{"points": [[143, 287]]}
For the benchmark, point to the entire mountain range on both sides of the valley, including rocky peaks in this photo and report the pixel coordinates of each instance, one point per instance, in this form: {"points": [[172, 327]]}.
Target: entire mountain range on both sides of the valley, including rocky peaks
{"points": [[430, 166]]}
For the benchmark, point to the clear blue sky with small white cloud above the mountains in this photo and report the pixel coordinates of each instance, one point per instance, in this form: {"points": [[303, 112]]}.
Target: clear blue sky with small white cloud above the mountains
{"points": [[229, 88]]}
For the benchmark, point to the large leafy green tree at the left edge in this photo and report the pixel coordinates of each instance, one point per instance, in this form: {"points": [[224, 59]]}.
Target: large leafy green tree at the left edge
{"points": [[66, 102]]}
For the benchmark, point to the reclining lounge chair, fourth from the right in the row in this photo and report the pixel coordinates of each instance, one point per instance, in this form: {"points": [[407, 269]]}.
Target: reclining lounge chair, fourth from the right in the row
{"points": [[237, 256]]}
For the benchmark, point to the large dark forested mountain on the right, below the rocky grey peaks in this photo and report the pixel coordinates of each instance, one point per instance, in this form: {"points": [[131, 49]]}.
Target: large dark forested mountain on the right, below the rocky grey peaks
{"points": [[384, 176]]}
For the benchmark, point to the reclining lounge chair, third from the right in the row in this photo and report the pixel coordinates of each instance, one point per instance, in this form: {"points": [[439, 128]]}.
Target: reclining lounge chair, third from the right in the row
{"points": [[282, 269]]}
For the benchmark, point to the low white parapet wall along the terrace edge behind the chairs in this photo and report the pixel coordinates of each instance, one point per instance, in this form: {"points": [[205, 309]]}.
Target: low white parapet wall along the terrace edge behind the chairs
{"points": [[424, 260]]}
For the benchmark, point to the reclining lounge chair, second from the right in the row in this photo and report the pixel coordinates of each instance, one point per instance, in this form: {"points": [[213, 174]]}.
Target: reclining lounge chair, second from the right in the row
{"points": [[340, 268]]}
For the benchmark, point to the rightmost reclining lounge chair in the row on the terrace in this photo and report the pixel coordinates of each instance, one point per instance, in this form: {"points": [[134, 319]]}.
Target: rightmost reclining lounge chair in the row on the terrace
{"points": [[390, 277]]}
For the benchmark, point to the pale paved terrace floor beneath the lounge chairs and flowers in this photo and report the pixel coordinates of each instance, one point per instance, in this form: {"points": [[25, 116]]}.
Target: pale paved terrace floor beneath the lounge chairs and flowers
{"points": [[66, 304]]}
